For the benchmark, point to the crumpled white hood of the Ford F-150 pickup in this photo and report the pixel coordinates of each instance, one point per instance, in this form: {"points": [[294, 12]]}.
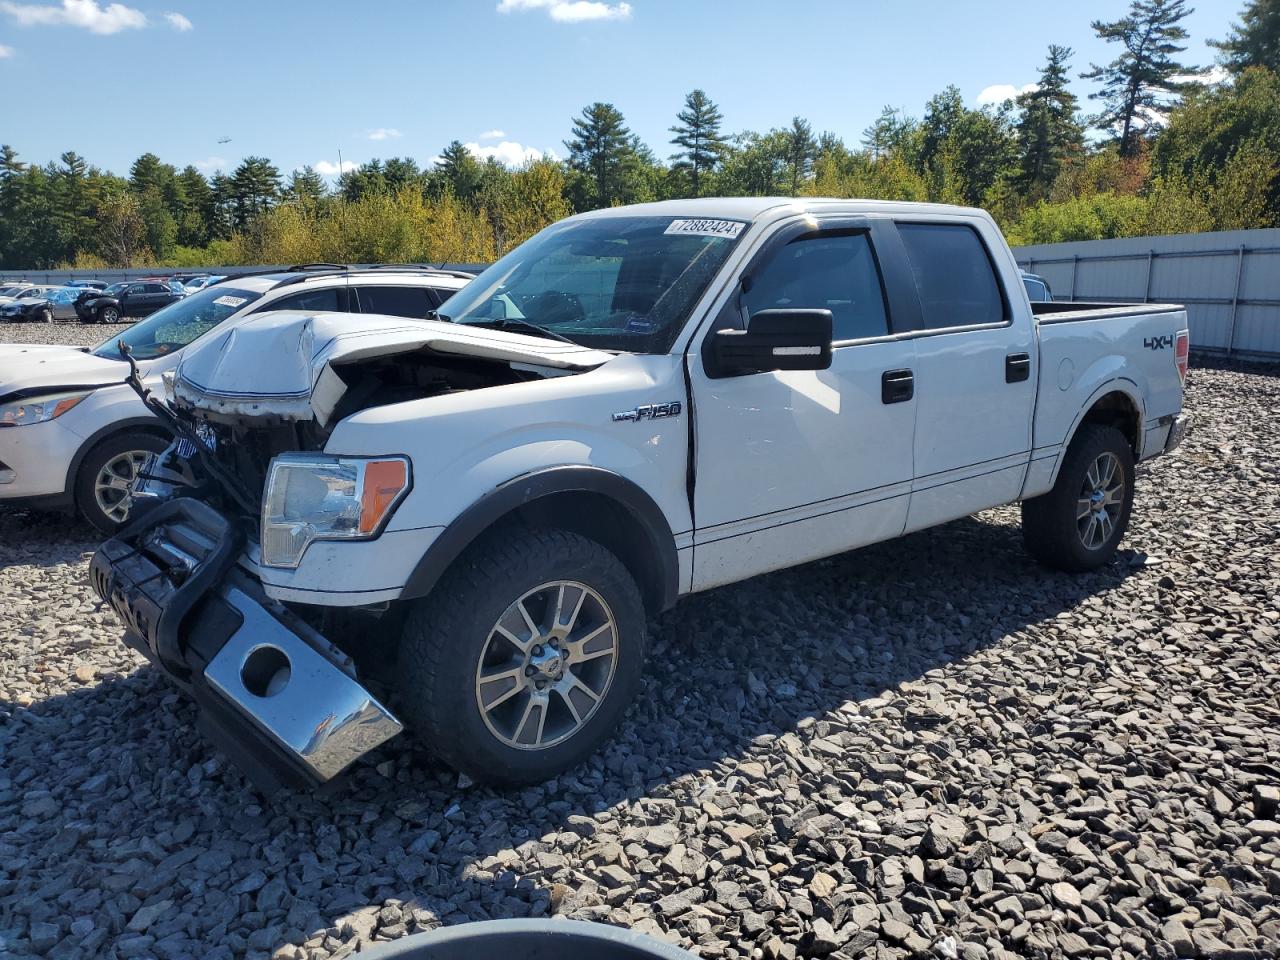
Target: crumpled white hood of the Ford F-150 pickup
{"points": [[280, 364]]}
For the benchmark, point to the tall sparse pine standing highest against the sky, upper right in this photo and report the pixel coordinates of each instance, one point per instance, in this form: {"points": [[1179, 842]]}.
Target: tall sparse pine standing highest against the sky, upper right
{"points": [[1139, 84]]}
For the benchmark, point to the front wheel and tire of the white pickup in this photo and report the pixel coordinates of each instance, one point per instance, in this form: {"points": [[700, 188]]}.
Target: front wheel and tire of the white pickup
{"points": [[524, 657]]}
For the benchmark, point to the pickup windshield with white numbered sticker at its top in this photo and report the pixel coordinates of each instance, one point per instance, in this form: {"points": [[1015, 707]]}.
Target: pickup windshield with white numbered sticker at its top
{"points": [[623, 284]]}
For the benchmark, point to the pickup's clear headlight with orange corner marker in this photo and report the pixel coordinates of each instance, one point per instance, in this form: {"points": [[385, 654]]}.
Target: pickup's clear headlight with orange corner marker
{"points": [[327, 499]]}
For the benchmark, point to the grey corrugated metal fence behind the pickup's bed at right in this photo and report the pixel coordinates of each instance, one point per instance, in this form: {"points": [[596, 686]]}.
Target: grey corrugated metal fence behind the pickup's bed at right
{"points": [[1228, 281]]}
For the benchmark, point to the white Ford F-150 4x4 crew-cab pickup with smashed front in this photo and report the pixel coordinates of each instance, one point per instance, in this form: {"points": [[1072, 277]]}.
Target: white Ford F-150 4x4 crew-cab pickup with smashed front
{"points": [[636, 405]]}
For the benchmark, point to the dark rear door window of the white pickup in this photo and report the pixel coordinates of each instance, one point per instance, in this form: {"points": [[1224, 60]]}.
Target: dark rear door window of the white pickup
{"points": [[954, 276]]}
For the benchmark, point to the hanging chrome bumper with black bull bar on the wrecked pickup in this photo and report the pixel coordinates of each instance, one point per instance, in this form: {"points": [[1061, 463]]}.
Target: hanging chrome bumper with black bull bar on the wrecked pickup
{"points": [[275, 694]]}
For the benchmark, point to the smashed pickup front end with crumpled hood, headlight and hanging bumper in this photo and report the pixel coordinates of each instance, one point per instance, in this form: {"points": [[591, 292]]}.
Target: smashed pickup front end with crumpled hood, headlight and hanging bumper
{"points": [[275, 693]]}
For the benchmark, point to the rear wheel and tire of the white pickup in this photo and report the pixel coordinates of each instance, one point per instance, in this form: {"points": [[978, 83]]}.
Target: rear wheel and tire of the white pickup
{"points": [[1080, 524]]}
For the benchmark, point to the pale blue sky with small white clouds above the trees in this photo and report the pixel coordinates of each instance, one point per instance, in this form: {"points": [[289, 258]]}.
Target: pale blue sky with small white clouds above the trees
{"points": [[299, 83]]}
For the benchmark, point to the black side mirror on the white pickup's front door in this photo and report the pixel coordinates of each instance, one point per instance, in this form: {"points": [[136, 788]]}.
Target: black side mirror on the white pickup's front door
{"points": [[774, 340]]}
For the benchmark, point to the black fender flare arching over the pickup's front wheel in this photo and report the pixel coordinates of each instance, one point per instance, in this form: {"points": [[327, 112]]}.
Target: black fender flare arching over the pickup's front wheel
{"points": [[529, 488]]}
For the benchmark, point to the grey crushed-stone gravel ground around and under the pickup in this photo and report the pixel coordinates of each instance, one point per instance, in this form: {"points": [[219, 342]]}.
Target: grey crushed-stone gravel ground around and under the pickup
{"points": [[926, 748]]}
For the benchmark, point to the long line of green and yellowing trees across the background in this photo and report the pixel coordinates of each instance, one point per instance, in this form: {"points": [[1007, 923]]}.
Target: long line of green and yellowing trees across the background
{"points": [[1171, 153]]}
